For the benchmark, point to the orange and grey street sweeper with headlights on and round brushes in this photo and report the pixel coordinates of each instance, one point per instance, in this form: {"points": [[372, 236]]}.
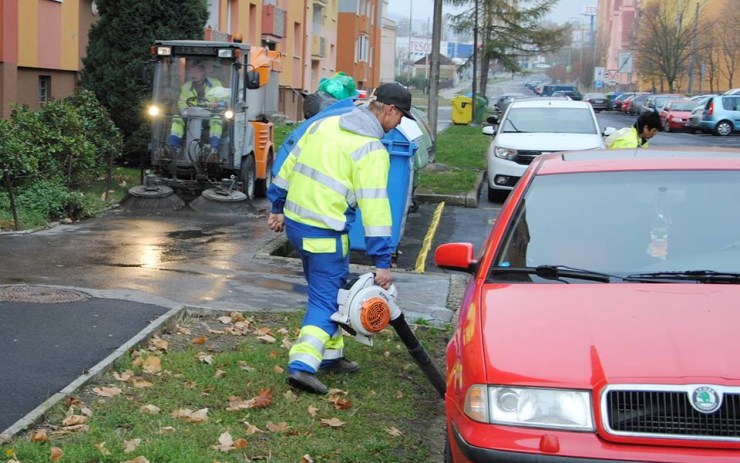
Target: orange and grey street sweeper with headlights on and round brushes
{"points": [[211, 139]]}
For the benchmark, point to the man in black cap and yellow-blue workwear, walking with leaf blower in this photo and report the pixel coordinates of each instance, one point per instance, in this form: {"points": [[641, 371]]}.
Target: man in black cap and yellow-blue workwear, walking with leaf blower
{"points": [[337, 166]]}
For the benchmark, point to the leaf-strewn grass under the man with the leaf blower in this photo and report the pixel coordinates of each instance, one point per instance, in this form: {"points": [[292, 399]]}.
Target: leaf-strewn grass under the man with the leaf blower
{"points": [[213, 390]]}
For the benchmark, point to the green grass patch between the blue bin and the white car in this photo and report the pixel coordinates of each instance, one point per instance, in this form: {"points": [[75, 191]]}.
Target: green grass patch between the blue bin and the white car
{"points": [[460, 158]]}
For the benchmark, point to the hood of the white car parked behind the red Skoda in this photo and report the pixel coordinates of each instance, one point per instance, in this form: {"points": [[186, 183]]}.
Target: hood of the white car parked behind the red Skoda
{"points": [[549, 141]]}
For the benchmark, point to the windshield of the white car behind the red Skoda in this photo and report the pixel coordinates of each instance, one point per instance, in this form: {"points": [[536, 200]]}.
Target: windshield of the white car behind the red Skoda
{"points": [[549, 120]]}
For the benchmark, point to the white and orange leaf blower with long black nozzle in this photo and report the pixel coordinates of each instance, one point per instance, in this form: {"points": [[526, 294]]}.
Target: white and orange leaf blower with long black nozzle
{"points": [[366, 309]]}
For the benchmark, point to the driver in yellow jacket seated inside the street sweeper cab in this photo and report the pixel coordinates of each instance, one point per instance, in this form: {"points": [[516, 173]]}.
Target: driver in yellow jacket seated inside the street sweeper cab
{"points": [[199, 90]]}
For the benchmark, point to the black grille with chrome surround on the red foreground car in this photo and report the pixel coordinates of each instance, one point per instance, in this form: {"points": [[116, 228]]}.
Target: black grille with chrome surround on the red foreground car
{"points": [[669, 413]]}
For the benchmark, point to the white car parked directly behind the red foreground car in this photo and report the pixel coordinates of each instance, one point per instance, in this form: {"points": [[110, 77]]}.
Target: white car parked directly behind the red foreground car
{"points": [[532, 127]]}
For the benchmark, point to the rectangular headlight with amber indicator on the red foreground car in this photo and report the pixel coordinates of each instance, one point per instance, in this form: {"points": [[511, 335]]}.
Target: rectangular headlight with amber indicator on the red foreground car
{"points": [[532, 407]]}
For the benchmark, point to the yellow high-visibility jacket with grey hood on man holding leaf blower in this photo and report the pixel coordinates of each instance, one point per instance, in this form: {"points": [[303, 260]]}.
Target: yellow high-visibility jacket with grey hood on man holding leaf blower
{"points": [[338, 165]]}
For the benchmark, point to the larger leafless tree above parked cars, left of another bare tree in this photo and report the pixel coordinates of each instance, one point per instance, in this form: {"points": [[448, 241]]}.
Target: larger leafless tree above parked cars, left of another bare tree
{"points": [[664, 43]]}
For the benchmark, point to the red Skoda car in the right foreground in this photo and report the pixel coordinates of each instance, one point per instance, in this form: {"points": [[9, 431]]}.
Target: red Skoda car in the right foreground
{"points": [[600, 323]]}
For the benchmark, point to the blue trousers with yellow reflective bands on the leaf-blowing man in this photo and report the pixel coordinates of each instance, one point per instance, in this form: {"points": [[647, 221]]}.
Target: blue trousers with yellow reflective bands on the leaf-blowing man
{"points": [[325, 258]]}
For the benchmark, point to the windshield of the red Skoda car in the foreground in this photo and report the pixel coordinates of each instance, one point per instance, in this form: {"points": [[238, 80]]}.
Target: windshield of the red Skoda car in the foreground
{"points": [[627, 223]]}
